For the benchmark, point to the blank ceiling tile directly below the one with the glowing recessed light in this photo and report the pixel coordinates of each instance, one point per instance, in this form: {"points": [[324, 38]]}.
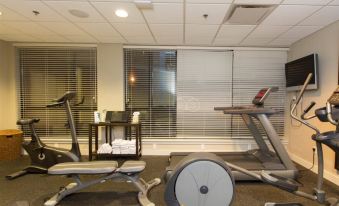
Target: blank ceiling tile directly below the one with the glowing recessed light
{"points": [[132, 29]]}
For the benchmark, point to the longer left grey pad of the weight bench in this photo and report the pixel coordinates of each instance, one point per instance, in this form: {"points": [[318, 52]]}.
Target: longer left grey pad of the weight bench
{"points": [[95, 167]]}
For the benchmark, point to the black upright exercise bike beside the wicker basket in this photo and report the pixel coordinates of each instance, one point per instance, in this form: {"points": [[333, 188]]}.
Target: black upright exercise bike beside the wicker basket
{"points": [[43, 156]]}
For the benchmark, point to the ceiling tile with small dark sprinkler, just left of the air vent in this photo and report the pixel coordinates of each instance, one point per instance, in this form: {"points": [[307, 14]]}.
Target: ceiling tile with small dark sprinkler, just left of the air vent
{"points": [[216, 13]]}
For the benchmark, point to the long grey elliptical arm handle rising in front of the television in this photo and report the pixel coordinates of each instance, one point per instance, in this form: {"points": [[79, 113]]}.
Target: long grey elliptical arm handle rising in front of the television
{"points": [[297, 101]]}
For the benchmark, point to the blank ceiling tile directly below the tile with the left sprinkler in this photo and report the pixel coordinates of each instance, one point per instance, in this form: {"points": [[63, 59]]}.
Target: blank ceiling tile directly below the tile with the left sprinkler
{"points": [[62, 28]]}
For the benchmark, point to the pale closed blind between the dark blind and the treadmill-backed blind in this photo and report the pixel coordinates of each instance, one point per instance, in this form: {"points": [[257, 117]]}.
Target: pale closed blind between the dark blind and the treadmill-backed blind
{"points": [[204, 81]]}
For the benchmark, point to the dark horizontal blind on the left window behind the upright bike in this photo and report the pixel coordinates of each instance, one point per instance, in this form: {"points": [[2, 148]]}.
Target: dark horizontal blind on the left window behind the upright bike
{"points": [[46, 73]]}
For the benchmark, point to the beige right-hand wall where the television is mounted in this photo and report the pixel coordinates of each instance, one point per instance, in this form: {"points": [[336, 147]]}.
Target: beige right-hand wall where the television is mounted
{"points": [[325, 43]]}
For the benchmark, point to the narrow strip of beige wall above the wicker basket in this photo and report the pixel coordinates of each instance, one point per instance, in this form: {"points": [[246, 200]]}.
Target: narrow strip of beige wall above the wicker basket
{"points": [[8, 105]]}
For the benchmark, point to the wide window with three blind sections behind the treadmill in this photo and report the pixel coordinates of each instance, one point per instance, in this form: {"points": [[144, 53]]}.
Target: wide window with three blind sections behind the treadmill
{"points": [[176, 90]]}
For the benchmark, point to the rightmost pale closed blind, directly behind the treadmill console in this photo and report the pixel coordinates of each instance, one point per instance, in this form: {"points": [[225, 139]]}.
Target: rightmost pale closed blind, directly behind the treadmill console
{"points": [[253, 70]]}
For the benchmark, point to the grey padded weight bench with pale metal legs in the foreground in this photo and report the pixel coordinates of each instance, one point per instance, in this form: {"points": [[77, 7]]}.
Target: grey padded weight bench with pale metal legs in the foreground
{"points": [[129, 172]]}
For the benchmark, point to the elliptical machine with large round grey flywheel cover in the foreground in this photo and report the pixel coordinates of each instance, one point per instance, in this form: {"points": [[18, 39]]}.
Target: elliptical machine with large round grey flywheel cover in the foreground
{"points": [[205, 179]]}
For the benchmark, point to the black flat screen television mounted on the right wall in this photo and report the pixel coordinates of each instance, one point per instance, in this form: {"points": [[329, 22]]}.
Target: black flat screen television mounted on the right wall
{"points": [[296, 72]]}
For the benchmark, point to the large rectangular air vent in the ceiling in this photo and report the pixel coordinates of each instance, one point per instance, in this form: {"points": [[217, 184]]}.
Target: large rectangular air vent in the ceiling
{"points": [[248, 14]]}
